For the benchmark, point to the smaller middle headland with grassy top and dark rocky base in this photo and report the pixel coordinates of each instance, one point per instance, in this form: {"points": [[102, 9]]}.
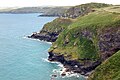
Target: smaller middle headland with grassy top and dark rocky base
{"points": [[52, 29]]}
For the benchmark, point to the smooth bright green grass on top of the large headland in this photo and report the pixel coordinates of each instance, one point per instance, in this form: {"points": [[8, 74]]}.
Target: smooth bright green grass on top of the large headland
{"points": [[98, 19]]}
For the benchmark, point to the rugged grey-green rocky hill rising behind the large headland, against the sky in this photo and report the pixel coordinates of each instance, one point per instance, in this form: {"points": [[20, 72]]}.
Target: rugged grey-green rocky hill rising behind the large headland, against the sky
{"points": [[83, 9]]}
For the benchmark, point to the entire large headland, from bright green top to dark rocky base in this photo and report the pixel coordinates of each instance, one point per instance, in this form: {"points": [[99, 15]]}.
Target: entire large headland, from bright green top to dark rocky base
{"points": [[88, 41]]}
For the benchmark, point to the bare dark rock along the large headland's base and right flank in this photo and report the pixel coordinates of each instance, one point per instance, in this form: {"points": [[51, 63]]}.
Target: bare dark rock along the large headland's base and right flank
{"points": [[108, 44]]}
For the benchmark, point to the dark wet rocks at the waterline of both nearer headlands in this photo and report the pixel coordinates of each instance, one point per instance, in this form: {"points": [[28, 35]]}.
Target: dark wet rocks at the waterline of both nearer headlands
{"points": [[70, 65]]}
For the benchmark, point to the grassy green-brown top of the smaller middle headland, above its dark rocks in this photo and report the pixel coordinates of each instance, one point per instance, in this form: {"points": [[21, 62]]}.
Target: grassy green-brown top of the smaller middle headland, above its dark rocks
{"points": [[57, 25]]}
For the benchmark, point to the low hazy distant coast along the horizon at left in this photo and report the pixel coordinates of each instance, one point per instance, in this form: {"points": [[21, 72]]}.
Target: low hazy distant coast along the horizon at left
{"points": [[47, 11]]}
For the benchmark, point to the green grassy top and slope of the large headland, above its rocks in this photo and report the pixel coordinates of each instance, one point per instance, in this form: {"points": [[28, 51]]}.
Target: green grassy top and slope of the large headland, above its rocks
{"points": [[78, 46]]}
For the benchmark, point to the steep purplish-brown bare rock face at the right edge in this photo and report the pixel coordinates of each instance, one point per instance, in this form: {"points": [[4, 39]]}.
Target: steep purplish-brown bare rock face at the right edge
{"points": [[109, 42]]}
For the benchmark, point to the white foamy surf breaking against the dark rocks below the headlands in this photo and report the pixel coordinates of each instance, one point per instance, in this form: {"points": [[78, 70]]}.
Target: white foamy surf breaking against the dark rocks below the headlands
{"points": [[62, 71]]}
